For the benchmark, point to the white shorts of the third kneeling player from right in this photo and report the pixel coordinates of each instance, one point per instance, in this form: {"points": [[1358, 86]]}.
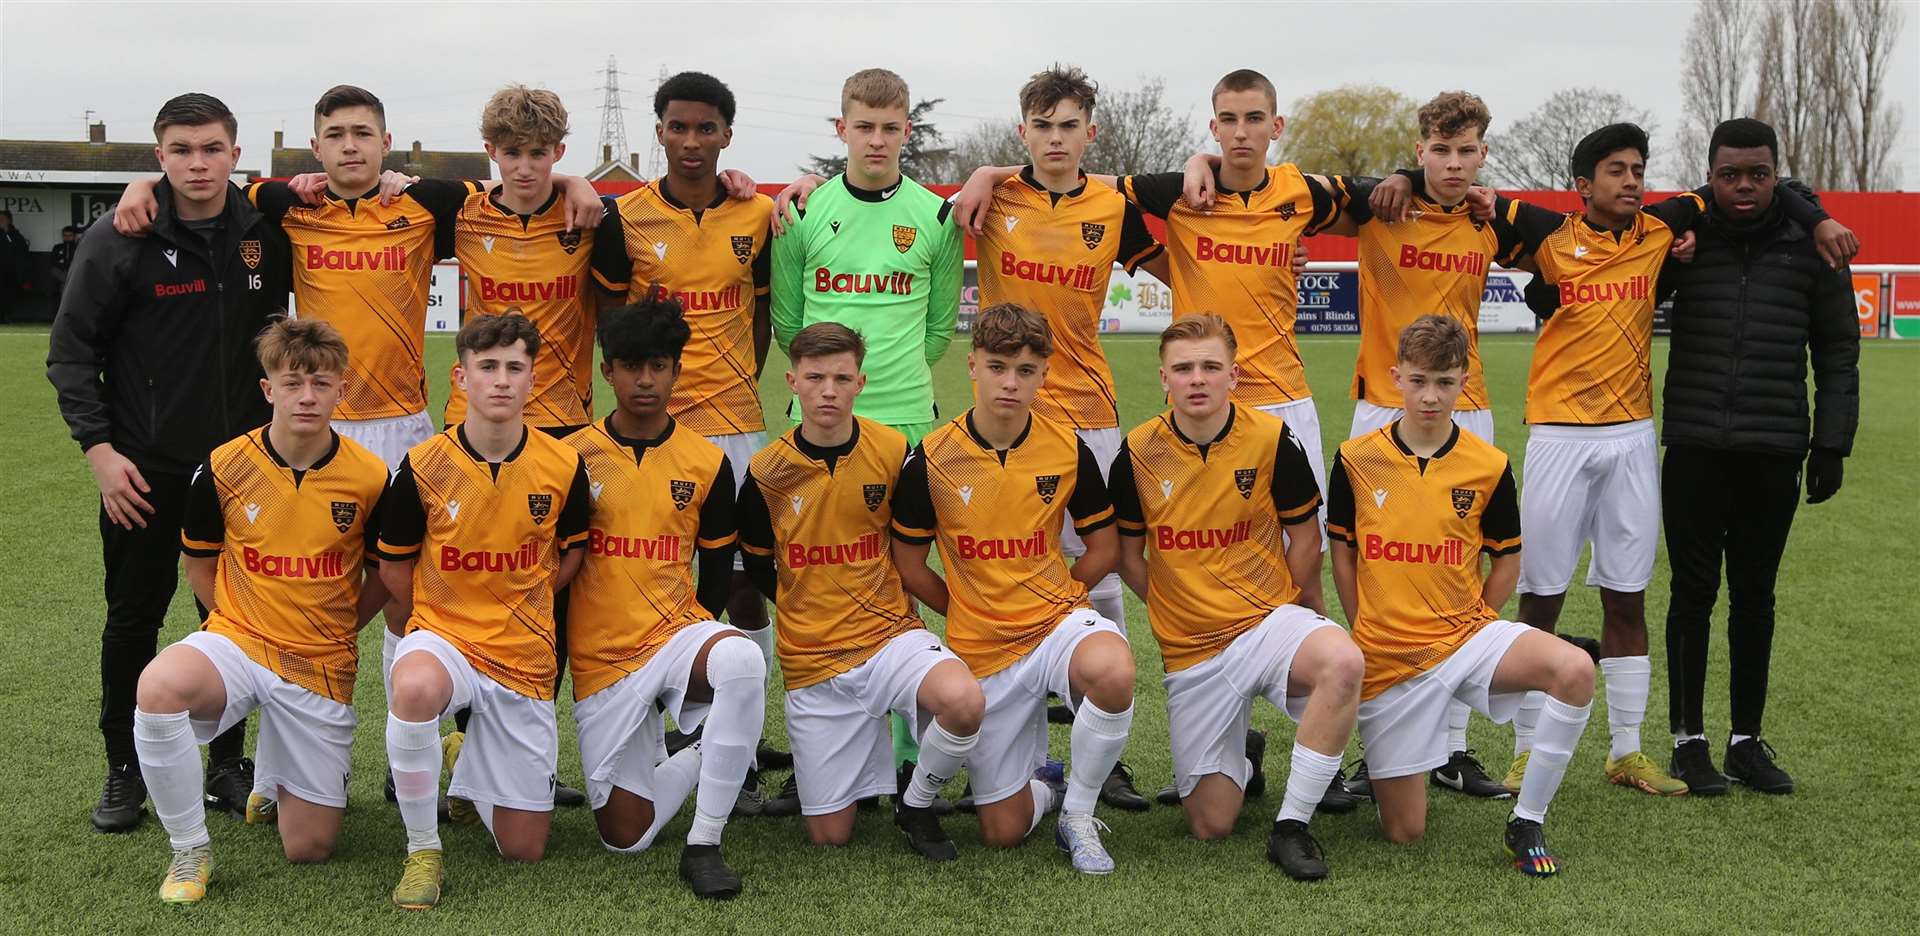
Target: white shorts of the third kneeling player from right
{"points": [[1013, 736]]}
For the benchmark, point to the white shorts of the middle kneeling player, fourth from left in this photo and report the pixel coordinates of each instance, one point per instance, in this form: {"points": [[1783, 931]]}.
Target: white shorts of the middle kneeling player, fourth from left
{"points": [[842, 745]]}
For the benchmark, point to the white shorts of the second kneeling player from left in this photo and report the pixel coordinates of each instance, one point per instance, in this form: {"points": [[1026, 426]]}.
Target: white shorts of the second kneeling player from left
{"points": [[512, 739]]}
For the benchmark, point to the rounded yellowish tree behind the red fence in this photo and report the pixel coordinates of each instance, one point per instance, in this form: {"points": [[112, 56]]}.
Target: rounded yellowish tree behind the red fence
{"points": [[1355, 129]]}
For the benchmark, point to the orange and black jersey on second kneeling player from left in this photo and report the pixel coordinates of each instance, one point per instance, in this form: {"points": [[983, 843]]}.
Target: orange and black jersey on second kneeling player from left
{"points": [[489, 540]]}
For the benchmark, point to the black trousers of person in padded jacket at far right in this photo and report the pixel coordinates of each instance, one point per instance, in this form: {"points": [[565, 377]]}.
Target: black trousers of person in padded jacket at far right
{"points": [[1737, 505]]}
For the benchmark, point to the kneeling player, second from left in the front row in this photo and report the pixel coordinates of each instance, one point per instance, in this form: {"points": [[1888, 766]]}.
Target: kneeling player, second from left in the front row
{"points": [[496, 511]]}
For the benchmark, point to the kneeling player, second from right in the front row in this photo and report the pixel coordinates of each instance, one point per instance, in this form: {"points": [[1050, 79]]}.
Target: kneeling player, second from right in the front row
{"points": [[1207, 488]]}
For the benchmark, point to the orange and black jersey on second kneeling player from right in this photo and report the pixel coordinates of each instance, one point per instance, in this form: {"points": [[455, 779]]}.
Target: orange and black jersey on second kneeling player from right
{"points": [[1212, 517]]}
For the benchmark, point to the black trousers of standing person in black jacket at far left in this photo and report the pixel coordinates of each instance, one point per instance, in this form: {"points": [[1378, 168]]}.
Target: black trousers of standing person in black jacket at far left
{"points": [[143, 569]]}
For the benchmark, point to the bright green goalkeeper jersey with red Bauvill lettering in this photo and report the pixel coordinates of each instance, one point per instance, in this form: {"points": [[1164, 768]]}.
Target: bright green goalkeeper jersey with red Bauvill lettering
{"points": [[888, 266]]}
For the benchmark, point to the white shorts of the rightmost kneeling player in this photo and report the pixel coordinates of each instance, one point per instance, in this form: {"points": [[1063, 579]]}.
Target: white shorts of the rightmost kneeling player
{"points": [[1404, 728]]}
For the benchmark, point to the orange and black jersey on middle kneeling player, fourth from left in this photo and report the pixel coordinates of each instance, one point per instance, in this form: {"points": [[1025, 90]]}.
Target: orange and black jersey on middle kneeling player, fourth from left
{"points": [[813, 532]]}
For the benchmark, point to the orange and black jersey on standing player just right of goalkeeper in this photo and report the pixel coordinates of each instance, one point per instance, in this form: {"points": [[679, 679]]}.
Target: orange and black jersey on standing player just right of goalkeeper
{"points": [[1055, 252]]}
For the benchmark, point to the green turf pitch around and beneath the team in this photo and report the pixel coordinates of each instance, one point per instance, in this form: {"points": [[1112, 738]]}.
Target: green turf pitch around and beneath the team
{"points": [[1829, 858]]}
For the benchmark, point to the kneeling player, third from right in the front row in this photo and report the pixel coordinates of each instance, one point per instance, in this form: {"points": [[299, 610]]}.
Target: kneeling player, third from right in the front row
{"points": [[992, 486]]}
